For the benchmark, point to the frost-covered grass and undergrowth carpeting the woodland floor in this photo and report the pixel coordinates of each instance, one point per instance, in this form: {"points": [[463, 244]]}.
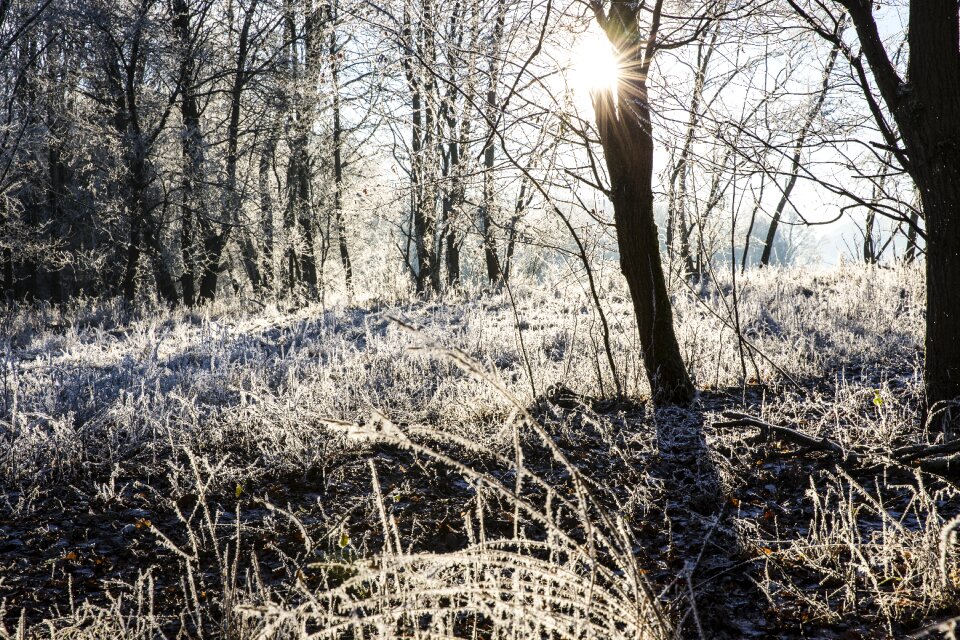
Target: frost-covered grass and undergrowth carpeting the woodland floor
{"points": [[186, 426]]}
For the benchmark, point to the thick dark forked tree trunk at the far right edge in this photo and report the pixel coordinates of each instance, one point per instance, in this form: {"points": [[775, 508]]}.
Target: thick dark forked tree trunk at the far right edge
{"points": [[927, 113]]}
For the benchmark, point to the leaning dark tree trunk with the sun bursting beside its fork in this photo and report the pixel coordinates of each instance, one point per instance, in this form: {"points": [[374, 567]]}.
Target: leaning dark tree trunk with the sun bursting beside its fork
{"points": [[626, 135]]}
